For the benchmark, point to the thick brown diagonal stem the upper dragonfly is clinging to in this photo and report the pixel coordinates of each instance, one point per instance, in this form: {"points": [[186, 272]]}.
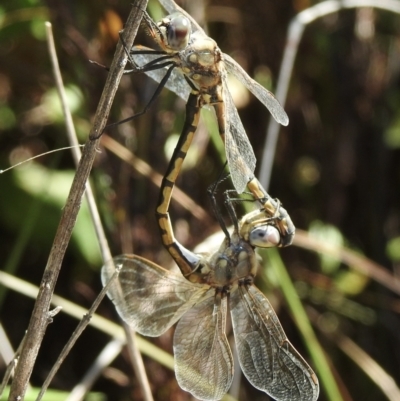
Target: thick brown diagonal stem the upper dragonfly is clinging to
{"points": [[39, 319]]}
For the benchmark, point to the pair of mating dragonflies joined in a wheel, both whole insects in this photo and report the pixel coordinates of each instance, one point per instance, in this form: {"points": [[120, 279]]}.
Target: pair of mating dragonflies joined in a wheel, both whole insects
{"points": [[151, 299]]}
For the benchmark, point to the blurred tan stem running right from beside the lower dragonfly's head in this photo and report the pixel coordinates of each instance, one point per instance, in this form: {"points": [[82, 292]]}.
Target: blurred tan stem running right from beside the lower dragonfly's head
{"points": [[351, 258]]}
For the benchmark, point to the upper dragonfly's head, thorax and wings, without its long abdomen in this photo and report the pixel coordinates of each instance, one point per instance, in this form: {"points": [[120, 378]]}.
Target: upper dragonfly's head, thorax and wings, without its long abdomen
{"points": [[190, 61]]}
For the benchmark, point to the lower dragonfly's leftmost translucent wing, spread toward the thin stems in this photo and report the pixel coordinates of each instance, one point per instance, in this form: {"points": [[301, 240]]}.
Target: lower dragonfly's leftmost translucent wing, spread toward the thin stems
{"points": [[147, 297]]}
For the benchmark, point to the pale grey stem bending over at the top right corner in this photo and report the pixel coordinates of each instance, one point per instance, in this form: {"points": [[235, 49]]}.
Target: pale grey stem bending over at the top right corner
{"points": [[294, 36]]}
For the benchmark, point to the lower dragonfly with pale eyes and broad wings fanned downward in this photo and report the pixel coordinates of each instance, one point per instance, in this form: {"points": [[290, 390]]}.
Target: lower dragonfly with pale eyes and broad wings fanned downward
{"points": [[151, 299]]}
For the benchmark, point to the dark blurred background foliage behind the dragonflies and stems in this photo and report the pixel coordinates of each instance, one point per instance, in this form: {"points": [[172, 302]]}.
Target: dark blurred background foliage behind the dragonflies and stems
{"points": [[337, 171]]}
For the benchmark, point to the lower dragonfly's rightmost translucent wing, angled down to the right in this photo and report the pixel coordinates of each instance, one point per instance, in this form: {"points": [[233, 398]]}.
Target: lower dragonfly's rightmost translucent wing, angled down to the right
{"points": [[266, 356]]}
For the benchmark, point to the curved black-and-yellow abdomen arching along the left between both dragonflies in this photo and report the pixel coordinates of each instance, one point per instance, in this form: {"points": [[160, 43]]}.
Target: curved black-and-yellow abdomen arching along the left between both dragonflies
{"points": [[185, 259]]}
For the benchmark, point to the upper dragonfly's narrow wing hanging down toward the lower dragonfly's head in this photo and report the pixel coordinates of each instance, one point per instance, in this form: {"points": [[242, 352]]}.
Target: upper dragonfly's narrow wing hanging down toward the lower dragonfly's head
{"points": [[239, 152]]}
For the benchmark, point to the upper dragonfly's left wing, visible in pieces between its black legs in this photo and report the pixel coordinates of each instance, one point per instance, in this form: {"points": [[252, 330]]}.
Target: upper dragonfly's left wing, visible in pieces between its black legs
{"points": [[176, 82]]}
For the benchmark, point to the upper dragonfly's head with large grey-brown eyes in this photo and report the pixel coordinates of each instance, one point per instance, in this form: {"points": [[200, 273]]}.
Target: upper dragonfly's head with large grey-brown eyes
{"points": [[176, 31]]}
